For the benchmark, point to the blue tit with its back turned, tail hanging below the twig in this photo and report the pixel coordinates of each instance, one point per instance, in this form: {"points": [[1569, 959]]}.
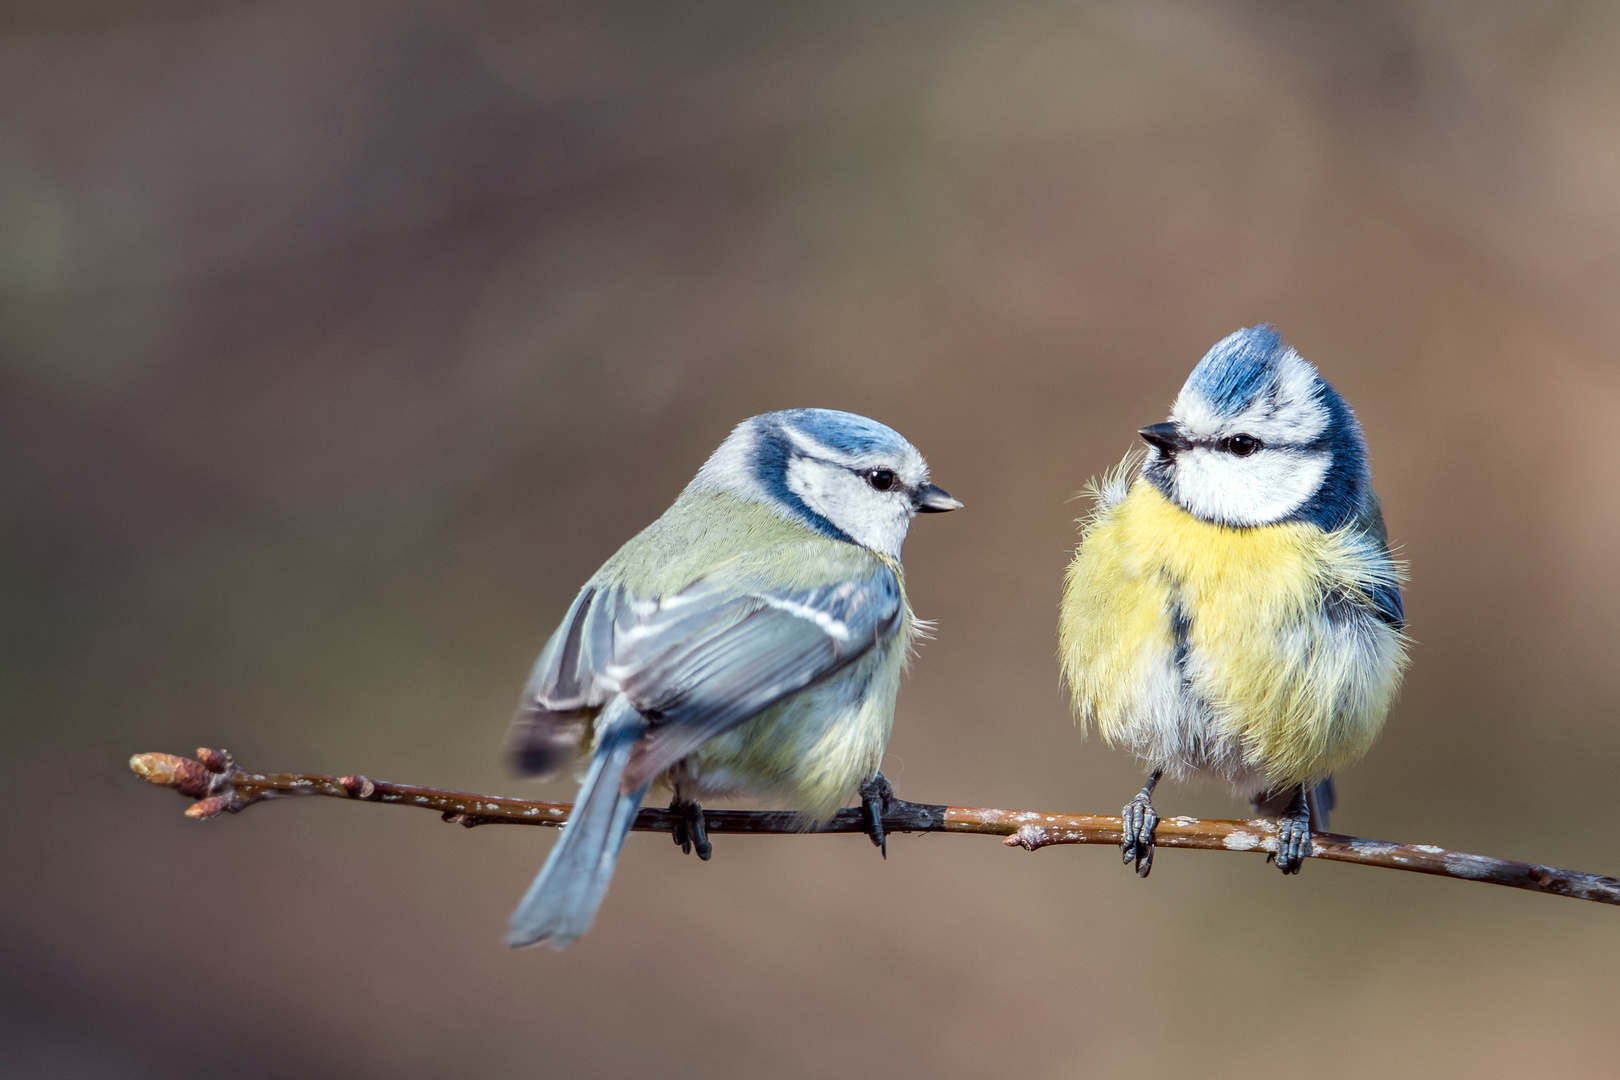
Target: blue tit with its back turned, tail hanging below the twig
{"points": [[749, 642]]}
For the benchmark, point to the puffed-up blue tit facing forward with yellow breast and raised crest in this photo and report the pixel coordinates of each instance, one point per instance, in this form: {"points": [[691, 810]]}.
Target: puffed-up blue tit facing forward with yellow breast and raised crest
{"points": [[1234, 610]]}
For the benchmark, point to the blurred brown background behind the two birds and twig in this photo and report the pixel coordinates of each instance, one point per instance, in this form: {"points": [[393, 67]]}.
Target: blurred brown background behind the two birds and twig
{"points": [[341, 341]]}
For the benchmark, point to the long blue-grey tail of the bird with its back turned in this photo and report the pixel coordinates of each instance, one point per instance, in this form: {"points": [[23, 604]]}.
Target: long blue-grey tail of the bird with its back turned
{"points": [[571, 887]]}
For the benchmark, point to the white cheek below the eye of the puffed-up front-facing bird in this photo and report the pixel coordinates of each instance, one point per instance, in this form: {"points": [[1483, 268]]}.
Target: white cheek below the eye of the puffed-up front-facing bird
{"points": [[1258, 490]]}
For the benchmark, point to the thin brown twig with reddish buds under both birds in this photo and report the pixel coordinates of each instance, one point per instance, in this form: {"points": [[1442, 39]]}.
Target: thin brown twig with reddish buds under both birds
{"points": [[220, 786]]}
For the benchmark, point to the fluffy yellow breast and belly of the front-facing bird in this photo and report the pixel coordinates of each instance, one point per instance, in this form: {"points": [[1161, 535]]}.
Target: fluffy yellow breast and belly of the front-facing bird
{"points": [[1237, 621]]}
